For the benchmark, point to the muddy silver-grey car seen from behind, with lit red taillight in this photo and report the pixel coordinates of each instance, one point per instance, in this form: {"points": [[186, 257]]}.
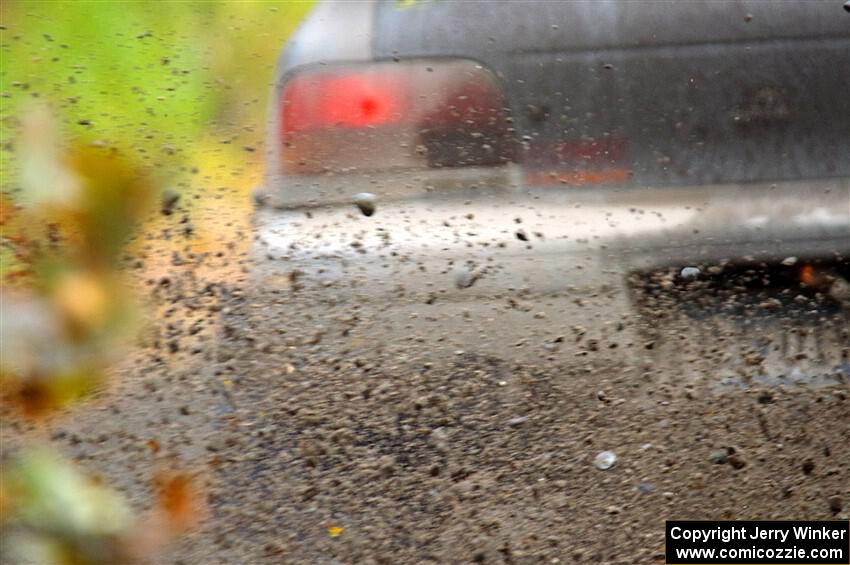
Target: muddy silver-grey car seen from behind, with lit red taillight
{"points": [[555, 155]]}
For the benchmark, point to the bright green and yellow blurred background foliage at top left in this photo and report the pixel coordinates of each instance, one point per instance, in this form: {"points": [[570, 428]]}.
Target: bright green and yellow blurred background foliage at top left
{"points": [[159, 79]]}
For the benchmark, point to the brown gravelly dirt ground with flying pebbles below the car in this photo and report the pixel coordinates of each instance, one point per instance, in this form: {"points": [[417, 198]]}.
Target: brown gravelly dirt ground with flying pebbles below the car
{"points": [[318, 447]]}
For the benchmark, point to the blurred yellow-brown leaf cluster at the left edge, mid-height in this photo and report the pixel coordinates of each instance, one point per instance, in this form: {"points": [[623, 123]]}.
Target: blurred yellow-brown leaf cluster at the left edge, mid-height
{"points": [[78, 206]]}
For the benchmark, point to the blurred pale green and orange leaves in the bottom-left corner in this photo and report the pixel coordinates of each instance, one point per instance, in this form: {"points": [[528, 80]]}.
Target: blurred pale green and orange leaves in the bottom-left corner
{"points": [[51, 512]]}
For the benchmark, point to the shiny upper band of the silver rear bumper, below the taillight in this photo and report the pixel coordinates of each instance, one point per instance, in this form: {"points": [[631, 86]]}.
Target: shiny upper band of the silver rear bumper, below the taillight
{"points": [[575, 237]]}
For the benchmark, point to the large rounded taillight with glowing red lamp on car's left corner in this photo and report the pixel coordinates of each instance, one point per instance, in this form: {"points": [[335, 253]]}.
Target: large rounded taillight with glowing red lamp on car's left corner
{"points": [[393, 115]]}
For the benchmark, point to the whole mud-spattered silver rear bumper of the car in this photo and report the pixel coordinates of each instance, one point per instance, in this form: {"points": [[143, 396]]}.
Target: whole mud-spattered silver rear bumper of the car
{"points": [[394, 275]]}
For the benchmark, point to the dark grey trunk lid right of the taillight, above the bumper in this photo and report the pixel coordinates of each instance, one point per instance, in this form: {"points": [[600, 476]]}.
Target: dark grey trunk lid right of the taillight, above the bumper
{"points": [[667, 93]]}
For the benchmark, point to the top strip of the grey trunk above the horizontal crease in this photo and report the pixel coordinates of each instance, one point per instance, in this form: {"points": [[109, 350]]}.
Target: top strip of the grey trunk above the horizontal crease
{"points": [[497, 28]]}
